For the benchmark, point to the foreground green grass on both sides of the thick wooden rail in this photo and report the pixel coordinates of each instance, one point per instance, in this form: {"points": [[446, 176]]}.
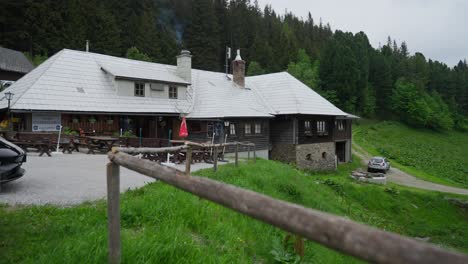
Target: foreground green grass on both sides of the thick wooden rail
{"points": [[161, 224]]}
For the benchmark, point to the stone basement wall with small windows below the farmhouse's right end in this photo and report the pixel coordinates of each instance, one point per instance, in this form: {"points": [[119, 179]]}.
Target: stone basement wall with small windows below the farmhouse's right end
{"points": [[317, 156]]}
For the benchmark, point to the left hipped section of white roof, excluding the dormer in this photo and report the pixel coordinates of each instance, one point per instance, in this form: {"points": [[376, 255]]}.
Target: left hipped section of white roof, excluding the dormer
{"points": [[57, 85]]}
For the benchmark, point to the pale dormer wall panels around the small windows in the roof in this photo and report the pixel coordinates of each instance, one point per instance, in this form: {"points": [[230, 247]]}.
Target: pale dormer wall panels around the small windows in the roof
{"points": [[127, 88]]}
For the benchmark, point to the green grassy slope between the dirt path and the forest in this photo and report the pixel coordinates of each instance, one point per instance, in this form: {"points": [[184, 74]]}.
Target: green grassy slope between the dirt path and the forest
{"points": [[440, 157]]}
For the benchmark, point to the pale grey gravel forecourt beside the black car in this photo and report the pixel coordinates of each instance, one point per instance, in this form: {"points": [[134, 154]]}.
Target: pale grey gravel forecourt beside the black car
{"points": [[65, 180]]}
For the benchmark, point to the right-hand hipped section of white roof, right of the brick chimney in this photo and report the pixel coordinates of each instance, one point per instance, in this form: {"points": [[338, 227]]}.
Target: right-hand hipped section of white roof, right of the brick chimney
{"points": [[287, 95]]}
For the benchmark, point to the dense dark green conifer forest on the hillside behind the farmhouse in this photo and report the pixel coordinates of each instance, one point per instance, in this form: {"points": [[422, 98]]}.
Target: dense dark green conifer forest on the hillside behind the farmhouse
{"points": [[385, 82]]}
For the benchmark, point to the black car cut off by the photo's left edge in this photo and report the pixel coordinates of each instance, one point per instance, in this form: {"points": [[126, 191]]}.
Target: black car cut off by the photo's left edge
{"points": [[11, 159]]}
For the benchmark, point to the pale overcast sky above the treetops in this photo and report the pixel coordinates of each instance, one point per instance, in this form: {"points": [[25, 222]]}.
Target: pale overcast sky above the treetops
{"points": [[437, 28]]}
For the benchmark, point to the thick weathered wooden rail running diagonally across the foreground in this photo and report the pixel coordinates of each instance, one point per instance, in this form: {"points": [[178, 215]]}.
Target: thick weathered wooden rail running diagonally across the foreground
{"points": [[335, 232]]}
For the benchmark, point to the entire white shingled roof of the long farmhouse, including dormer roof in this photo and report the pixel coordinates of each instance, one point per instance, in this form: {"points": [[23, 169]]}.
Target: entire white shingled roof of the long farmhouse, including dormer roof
{"points": [[76, 81]]}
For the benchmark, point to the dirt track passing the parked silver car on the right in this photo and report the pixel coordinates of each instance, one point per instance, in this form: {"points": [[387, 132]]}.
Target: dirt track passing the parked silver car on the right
{"points": [[399, 177]]}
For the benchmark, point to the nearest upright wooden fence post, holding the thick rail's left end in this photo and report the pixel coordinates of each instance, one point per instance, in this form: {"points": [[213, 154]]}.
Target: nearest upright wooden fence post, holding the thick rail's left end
{"points": [[113, 211]]}
